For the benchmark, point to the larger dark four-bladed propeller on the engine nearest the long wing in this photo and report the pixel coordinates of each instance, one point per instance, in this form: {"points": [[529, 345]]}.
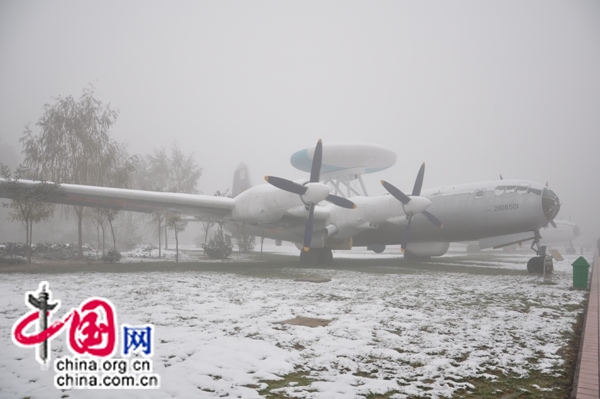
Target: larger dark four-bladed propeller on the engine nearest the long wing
{"points": [[311, 193]]}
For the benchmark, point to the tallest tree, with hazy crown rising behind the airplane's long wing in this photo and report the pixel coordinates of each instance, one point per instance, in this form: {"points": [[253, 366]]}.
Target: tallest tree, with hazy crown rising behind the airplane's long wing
{"points": [[74, 146]]}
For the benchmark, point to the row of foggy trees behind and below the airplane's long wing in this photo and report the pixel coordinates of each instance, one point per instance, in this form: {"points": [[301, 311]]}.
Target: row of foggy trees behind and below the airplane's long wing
{"points": [[74, 146]]}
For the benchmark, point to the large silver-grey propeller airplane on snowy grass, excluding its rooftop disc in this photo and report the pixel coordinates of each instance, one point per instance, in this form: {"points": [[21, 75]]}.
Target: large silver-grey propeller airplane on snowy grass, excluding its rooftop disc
{"points": [[495, 213]]}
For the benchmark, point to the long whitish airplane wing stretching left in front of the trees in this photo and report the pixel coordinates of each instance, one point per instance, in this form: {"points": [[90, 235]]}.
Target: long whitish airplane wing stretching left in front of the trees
{"points": [[204, 206]]}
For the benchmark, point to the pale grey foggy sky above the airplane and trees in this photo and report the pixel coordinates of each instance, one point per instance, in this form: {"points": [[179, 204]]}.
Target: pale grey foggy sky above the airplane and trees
{"points": [[473, 88]]}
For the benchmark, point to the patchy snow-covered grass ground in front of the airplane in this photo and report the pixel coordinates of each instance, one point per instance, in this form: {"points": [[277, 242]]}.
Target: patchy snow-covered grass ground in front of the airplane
{"points": [[419, 333]]}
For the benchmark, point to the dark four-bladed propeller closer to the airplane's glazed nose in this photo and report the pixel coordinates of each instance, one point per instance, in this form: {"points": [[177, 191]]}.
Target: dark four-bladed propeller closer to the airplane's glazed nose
{"points": [[412, 204]]}
